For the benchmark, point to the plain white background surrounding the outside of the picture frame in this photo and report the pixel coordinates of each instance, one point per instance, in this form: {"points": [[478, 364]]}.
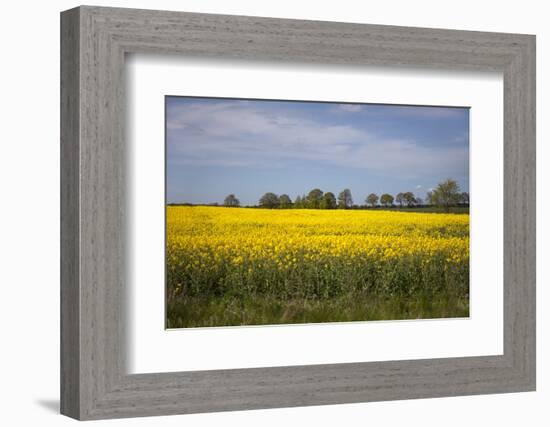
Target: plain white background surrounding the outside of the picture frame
{"points": [[29, 217]]}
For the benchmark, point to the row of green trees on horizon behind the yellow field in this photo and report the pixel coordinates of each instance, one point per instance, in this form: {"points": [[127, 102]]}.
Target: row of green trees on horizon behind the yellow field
{"points": [[446, 195]]}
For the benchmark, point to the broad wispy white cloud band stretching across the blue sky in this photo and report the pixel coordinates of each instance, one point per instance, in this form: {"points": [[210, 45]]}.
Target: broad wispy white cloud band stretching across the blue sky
{"points": [[242, 134]]}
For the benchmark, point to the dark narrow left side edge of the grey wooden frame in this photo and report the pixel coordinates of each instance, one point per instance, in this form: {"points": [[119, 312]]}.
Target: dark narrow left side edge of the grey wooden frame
{"points": [[70, 291]]}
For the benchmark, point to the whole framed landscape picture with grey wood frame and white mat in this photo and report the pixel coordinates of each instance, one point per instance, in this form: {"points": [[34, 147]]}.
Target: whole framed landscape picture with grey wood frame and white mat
{"points": [[261, 213]]}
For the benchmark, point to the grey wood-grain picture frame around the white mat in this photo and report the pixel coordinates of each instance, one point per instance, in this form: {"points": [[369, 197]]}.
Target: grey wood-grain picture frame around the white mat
{"points": [[94, 382]]}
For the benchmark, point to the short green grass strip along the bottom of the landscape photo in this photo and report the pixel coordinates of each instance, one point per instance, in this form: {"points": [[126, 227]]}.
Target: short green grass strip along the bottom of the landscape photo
{"points": [[265, 310]]}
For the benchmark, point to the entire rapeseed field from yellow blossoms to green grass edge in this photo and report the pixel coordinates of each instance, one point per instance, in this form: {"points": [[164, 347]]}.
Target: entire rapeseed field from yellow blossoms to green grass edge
{"points": [[243, 266]]}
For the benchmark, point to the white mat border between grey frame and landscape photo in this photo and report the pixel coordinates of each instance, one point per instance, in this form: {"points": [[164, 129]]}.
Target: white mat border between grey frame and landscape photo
{"points": [[153, 349]]}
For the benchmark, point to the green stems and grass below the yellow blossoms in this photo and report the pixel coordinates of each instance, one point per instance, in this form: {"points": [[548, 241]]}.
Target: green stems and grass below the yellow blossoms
{"points": [[401, 289]]}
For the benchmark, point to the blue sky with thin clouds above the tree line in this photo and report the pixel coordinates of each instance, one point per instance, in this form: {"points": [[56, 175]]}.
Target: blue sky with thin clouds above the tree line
{"points": [[215, 147]]}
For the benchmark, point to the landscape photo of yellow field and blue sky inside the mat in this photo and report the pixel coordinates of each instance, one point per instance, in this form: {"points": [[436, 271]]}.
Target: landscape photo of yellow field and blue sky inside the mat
{"points": [[286, 212]]}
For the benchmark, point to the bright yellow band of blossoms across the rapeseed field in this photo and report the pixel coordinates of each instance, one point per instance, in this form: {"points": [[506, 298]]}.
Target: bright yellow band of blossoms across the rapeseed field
{"points": [[209, 238]]}
